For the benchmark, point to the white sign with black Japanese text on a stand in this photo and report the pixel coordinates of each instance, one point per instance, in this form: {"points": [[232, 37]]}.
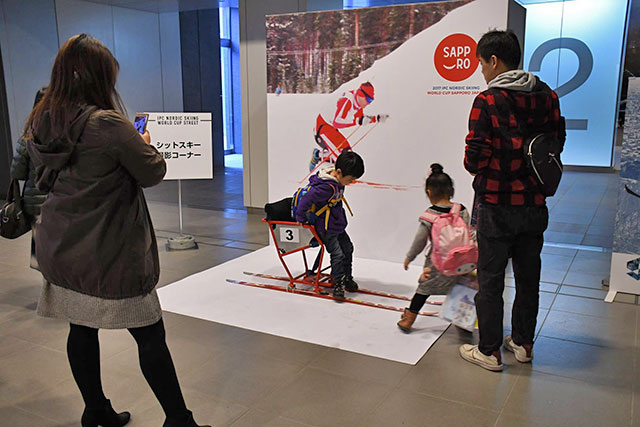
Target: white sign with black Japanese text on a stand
{"points": [[184, 140]]}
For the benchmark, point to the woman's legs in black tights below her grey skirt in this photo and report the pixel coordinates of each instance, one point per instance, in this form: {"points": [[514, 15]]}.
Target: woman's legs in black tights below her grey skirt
{"points": [[157, 367]]}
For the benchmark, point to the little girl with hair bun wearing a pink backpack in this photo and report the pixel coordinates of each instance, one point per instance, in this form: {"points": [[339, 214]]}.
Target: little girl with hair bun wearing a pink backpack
{"points": [[439, 189]]}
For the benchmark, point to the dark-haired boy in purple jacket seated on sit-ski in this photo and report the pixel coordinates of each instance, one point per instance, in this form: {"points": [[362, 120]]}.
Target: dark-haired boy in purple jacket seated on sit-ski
{"points": [[322, 206]]}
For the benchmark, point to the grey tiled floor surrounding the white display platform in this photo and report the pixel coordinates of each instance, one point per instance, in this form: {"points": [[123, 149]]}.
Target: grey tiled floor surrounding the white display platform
{"points": [[585, 371]]}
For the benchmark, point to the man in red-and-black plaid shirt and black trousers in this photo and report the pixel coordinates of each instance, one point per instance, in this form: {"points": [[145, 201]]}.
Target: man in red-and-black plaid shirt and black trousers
{"points": [[512, 214]]}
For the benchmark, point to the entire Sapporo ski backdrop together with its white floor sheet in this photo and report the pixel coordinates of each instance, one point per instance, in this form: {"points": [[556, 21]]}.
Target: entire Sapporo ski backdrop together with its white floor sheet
{"points": [[418, 65]]}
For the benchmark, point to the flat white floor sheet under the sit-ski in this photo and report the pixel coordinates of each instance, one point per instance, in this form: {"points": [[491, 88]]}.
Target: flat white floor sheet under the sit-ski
{"points": [[365, 330]]}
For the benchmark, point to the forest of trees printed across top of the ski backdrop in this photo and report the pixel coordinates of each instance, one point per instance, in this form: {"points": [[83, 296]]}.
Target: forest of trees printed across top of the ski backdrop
{"points": [[318, 52]]}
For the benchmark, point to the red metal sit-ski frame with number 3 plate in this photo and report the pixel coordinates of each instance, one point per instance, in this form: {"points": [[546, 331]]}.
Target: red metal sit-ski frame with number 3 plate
{"points": [[316, 280]]}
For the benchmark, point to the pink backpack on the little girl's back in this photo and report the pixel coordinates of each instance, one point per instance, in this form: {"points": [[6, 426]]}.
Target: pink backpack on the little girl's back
{"points": [[454, 251]]}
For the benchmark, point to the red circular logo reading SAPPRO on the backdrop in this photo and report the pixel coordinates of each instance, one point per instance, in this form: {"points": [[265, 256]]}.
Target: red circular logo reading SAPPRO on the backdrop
{"points": [[455, 57]]}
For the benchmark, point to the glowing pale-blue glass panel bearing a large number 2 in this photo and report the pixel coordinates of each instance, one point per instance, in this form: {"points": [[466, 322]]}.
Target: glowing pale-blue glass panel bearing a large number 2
{"points": [[576, 46]]}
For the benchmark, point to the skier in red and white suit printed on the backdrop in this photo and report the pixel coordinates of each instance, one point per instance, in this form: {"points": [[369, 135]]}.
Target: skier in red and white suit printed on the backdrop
{"points": [[348, 112]]}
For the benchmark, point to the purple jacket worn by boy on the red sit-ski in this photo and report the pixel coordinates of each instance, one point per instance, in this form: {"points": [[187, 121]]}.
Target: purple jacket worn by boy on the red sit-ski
{"points": [[323, 188]]}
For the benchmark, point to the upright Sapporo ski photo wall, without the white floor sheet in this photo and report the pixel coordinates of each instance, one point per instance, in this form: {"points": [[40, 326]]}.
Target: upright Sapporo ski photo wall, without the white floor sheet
{"points": [[421, 63]]}
